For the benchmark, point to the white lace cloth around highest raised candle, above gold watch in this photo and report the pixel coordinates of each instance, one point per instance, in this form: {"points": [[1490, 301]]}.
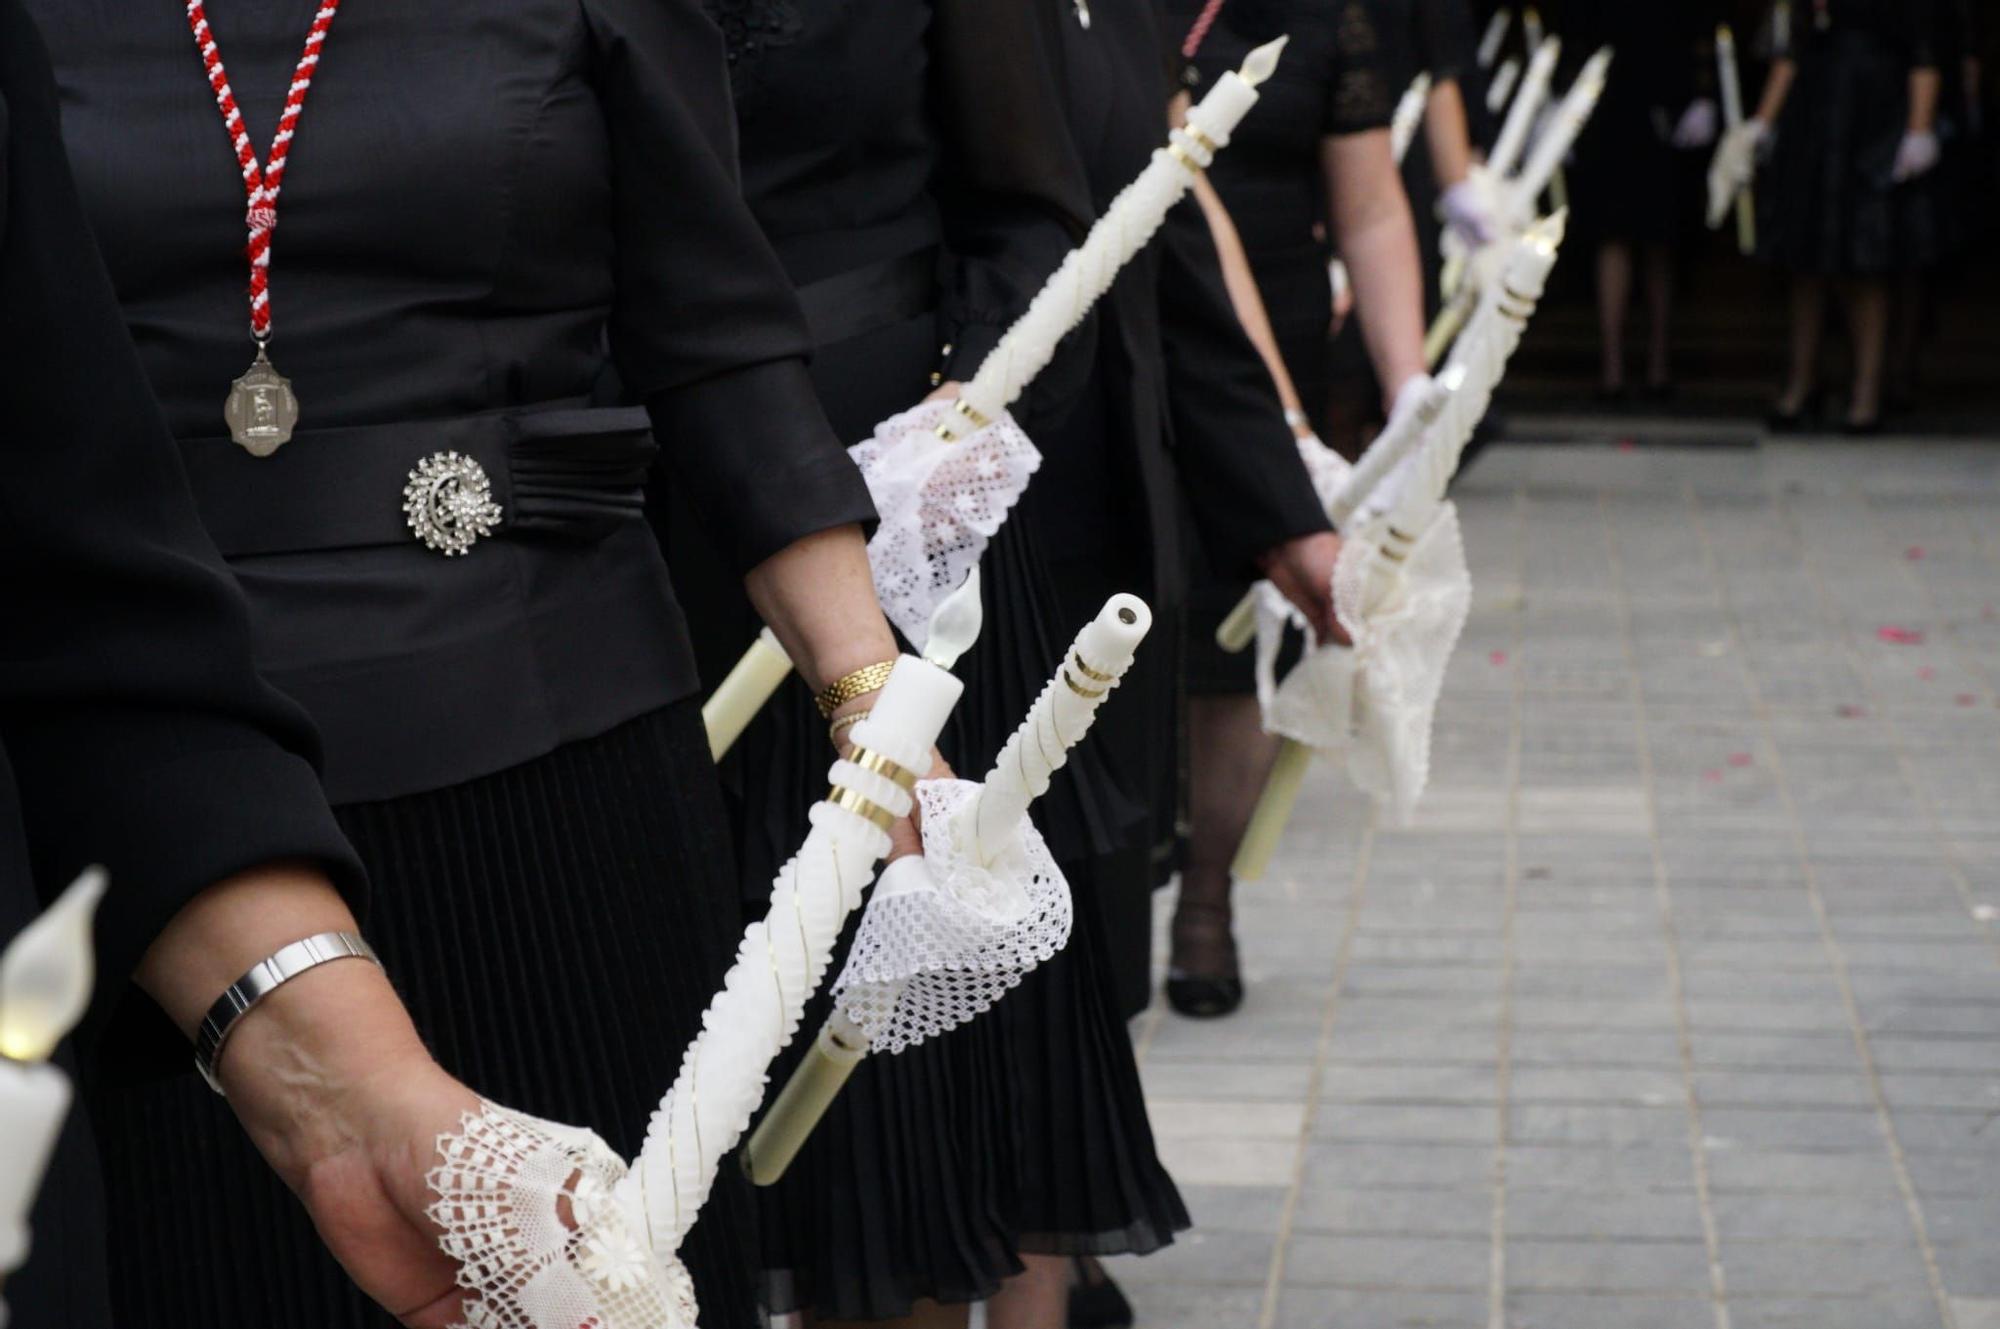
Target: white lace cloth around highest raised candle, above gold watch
{"points": [[939, 505]]}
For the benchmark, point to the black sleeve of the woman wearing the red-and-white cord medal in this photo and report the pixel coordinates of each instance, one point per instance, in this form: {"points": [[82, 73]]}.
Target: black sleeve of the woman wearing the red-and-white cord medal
{"points": [[705, 325]]}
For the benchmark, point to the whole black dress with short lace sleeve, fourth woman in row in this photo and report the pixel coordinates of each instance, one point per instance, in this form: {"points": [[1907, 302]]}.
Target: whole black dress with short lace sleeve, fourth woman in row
{"points": [[1335, 79]]}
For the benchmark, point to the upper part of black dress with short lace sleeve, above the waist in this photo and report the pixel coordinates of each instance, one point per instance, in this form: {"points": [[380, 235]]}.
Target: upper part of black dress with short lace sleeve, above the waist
{"points": [[1331, 81]]}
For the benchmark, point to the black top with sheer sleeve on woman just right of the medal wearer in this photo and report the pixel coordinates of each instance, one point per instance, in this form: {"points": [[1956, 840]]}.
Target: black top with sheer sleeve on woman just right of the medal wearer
{"points": [[883, 129]]}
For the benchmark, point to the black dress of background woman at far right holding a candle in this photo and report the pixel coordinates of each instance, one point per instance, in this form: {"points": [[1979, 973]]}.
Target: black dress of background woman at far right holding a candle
{"points": [[1829, 203]]}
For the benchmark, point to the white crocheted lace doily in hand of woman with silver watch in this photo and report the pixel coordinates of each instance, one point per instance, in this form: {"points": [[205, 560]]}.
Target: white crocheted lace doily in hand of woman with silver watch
{"points": [[529, 1214]]}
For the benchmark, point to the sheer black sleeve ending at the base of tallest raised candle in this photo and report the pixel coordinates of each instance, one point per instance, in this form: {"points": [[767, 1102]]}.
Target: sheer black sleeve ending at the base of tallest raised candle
{"points": [[1013, 191]]}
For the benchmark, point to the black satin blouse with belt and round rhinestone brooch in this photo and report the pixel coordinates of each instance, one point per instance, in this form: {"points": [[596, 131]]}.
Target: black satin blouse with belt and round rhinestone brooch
{"points": [[499, 217]]}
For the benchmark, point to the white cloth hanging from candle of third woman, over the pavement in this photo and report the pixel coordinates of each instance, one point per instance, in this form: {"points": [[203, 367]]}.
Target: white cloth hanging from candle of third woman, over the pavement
{"points": [[1373, 706]]}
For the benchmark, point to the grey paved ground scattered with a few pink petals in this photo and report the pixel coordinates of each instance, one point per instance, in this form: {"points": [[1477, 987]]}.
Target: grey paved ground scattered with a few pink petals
{"points": [[1681, 1004]]}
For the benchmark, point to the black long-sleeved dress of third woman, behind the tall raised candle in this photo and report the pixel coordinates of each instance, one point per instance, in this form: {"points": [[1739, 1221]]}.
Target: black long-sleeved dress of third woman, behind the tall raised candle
{"points": [[1181, 419]]}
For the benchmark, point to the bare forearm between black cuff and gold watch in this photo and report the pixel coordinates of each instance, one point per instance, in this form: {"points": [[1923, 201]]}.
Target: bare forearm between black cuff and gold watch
{"points": [[819, 599]]}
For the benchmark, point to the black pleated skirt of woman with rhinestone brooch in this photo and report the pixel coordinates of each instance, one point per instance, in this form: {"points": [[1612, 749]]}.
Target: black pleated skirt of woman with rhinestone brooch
{"points": [[557, 932]]}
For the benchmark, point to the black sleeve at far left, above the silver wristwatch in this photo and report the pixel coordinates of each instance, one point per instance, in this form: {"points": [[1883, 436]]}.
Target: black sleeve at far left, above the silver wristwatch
{"points": [[139, 734]]}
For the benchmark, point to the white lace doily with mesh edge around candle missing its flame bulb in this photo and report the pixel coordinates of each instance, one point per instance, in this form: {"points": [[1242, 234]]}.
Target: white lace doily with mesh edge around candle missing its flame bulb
{"points": [[939, 950]]}
